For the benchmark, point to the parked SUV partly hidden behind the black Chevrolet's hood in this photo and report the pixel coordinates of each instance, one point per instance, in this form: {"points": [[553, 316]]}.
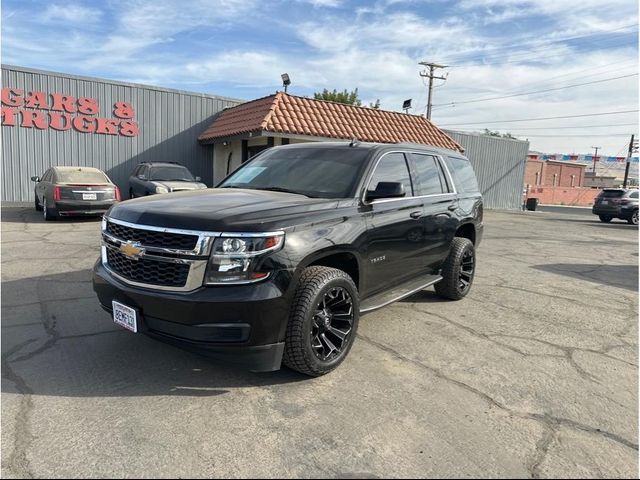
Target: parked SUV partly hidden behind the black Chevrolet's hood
{"points": [[151, 178]]}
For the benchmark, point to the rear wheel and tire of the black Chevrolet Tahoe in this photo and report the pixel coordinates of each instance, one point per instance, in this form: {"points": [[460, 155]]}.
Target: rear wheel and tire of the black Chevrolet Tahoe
{"points": [[458, 270]]}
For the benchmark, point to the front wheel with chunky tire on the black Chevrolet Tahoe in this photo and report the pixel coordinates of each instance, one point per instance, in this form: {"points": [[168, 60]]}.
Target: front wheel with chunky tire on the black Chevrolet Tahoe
{"points": [[309, 338]]}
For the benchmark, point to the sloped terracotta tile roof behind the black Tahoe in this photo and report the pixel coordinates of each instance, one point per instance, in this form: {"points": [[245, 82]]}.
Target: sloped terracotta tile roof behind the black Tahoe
{"points": [[288, 114]]}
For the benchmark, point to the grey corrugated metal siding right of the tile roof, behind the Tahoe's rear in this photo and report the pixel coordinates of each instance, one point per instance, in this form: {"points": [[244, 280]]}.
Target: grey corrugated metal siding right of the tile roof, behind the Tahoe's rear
{"points": [[499, 164]]}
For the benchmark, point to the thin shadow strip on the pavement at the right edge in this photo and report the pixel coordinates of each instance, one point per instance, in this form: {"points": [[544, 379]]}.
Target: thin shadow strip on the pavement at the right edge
{"points": [[621, 276]]}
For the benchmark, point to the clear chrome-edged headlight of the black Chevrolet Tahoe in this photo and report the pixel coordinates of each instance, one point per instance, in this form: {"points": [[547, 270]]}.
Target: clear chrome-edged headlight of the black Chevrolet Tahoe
{"points": [[234, 259]]}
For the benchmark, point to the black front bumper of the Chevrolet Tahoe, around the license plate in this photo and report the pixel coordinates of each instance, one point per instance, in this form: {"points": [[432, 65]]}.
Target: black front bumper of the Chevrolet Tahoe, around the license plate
{"points": [[243, 324]]}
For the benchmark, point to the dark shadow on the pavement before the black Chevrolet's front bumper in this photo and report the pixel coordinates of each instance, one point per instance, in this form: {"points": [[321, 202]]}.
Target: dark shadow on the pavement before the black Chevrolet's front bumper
{"points": [[56, 340]]}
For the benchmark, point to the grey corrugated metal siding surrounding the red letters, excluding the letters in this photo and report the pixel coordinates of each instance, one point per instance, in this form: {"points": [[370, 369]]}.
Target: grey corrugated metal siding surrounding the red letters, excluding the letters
{"points": [[170, 122]]}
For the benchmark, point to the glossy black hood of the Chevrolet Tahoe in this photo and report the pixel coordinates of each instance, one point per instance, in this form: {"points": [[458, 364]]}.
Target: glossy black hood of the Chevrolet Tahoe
{"points": [[221, 209]]}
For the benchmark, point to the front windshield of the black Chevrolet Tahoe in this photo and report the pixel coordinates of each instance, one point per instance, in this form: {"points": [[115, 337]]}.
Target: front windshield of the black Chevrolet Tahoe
{"points": [[314, 172]]}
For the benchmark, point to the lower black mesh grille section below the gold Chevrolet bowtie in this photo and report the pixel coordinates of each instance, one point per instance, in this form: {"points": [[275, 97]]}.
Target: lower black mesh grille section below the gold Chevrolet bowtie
{"points": [[148, 271]]}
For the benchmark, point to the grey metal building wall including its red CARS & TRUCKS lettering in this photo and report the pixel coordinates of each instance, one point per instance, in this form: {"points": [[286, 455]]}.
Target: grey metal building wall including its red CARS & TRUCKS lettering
{"points": [[57, 119]]}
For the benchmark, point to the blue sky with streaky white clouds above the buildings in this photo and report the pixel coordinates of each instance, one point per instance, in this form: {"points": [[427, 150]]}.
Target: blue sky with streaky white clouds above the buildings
{"points": [[538, 54]]}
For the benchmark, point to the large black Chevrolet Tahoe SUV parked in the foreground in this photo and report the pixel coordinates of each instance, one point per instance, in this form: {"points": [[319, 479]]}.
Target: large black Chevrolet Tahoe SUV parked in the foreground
{"points": [[277, 263]]}
